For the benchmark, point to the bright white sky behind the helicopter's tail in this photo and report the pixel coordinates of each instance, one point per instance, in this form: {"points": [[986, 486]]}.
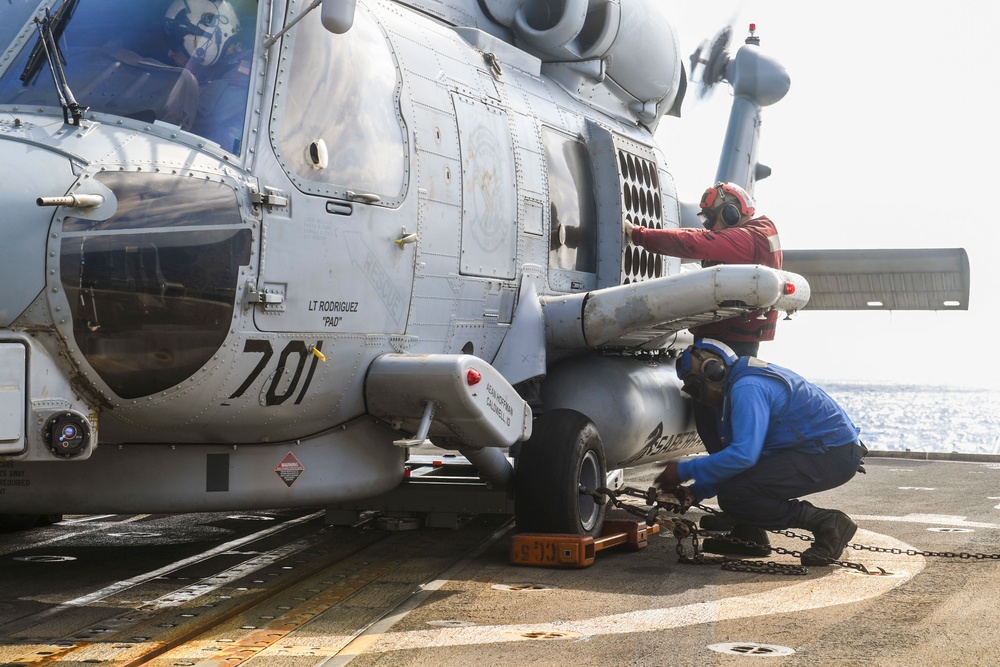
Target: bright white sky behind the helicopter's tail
{"points": [[887, 138]]}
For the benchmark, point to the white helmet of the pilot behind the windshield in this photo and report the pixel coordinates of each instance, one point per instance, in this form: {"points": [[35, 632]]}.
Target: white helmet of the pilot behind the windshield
{"points": [[201, 28]]}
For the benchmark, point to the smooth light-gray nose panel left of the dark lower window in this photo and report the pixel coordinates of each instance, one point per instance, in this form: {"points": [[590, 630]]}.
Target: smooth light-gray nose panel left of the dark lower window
{"points": [[26, 172]]}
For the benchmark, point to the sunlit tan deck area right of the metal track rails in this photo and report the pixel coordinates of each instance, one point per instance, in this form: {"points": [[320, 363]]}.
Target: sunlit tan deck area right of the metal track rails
{"points": [[645, 608]]}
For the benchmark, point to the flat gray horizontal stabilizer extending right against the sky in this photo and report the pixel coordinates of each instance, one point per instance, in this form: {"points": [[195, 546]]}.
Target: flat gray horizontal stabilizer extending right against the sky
{"points": [[900, 279]]}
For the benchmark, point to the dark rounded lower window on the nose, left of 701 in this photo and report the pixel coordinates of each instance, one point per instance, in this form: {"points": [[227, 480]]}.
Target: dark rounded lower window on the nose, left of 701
{"points": [[152, 289]]}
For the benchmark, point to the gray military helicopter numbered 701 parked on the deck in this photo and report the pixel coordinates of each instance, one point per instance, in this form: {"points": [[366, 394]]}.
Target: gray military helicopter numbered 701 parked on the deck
{"points": [[255, 253]]}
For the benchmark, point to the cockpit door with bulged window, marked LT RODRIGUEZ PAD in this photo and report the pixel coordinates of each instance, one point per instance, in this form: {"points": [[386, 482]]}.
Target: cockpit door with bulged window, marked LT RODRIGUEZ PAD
{"points": [[330, 261]]}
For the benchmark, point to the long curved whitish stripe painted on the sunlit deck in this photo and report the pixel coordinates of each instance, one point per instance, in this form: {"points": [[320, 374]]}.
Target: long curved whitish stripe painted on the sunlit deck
{"points": [[813, 593]]}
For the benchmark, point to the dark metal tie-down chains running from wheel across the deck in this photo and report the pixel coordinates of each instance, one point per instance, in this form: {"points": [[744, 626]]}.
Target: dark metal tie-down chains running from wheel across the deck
{"points": [[681, 500]]}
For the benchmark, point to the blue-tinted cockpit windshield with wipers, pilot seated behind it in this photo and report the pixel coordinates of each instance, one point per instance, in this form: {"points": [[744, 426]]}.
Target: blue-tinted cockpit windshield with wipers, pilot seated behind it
{"points": [[181, 62]]}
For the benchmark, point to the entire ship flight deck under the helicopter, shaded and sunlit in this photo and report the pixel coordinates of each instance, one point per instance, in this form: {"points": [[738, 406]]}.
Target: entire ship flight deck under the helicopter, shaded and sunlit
{"points": [[241, 590]]}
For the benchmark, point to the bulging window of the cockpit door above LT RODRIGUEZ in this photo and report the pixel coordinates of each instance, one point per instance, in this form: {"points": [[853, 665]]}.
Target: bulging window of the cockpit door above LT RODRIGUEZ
{"points": [[342, 89]]}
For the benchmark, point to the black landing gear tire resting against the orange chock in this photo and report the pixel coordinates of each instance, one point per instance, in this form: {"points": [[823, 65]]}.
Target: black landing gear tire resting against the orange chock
{"points": [[563, 454]]}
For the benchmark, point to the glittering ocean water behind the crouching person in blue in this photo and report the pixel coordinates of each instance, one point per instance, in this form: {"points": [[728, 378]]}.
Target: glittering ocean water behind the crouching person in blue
{"points": [[918, 418]]}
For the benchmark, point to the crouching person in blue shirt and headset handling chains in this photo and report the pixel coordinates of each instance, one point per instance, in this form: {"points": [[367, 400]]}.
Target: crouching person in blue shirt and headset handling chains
{"points": [[783, 437]]}
